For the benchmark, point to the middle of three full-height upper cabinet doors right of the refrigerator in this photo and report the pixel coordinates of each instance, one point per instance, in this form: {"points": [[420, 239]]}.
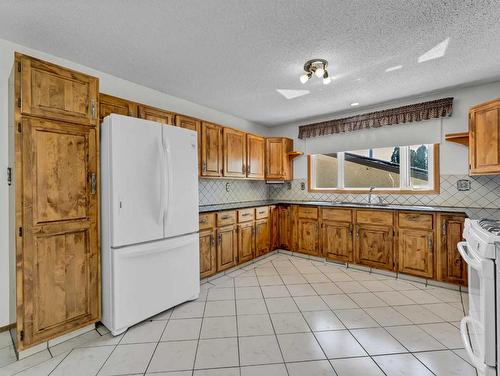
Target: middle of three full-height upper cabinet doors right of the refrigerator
{"points": [[234, 147]]}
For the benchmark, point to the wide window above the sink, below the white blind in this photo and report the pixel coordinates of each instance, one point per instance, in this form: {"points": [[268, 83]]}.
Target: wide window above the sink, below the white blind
{"points": [[396, 168]]}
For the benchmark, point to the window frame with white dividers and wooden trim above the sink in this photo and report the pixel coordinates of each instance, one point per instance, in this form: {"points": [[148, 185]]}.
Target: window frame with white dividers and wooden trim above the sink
{"points": [[405, 183]]}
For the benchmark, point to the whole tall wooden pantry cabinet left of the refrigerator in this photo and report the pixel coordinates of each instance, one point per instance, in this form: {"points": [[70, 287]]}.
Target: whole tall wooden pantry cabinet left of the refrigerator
{"points": [[56, 185]]}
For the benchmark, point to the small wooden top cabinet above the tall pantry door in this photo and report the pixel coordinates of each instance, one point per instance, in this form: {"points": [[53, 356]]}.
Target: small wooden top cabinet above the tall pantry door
{"points": [[53, 92]]}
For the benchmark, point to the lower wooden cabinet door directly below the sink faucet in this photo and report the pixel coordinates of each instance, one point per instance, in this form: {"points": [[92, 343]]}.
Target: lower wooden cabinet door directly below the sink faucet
{"points": [[374, 246]]}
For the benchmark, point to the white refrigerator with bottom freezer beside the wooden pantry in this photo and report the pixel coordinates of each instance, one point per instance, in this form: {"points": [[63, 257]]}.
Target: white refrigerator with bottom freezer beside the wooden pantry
{"points": [[149, 206]]}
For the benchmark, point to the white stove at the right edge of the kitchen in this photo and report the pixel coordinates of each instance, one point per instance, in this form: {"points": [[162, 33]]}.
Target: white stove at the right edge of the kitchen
{"points": [[480, 329]]}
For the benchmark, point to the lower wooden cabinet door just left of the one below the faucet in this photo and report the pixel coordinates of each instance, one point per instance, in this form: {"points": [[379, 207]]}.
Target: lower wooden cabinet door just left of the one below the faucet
{"points": [[337, 241]]}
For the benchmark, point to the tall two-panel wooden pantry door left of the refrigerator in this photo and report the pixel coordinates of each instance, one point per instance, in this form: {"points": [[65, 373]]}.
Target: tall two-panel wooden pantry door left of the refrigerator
{"points": [[58, 266]]}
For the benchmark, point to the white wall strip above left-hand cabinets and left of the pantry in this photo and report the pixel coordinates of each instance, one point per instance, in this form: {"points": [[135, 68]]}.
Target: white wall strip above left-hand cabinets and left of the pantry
{"points": [[108, 84]]}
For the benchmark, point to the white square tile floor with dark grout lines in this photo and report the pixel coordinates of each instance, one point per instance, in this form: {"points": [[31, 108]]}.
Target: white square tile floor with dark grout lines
{"points": [[282, 315]]}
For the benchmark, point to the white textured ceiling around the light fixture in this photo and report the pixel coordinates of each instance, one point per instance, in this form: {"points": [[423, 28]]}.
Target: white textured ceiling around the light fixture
{"points": [[232, 55]]}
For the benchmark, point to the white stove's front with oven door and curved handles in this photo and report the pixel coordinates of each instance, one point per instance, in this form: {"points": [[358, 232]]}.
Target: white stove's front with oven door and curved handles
{"points": [[478, 328]]}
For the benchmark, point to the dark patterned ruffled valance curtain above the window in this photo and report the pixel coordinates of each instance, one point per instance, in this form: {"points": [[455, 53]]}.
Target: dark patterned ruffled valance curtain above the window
{"points": [[415, 112]]}
